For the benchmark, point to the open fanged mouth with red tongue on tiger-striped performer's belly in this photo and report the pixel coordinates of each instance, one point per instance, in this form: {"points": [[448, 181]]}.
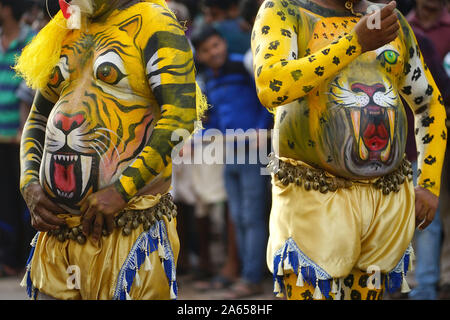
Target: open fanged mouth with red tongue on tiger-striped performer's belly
{"points": [[69, 175]]}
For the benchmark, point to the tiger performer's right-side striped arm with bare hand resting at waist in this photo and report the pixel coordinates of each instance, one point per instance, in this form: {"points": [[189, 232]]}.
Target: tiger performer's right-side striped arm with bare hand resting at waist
{"points": [[171, 76]]}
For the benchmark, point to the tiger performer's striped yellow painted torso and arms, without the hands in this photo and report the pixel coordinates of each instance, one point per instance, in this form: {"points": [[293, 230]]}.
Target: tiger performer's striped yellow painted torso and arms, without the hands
{"points": [[110, 107]]}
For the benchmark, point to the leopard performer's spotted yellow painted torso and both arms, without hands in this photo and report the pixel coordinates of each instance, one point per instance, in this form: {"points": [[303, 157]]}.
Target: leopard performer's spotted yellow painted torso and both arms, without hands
{"points": [[339, 109]]}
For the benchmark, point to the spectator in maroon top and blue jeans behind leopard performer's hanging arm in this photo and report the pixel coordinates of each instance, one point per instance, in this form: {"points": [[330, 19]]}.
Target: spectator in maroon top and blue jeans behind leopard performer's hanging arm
{"points": [[430, 22]]}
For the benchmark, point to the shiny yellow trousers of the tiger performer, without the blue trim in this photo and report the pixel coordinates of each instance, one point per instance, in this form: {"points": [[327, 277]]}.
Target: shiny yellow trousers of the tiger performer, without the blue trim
{"points": [[54, 263]]}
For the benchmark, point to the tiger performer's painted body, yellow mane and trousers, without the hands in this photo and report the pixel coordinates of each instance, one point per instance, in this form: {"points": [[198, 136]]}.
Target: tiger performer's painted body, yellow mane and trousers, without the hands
{"points": [[110, 96]]}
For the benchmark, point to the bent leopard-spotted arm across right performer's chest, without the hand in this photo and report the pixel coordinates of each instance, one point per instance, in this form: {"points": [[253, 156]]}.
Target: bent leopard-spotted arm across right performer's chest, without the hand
{"points": [[281, 75]]}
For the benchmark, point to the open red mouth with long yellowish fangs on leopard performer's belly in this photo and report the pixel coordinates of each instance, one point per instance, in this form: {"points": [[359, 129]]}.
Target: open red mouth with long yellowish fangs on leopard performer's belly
{"points": [[373, 127]]}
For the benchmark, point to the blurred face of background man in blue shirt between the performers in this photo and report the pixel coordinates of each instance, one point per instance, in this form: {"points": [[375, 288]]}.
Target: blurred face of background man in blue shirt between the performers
{"points": [[212, 52]]}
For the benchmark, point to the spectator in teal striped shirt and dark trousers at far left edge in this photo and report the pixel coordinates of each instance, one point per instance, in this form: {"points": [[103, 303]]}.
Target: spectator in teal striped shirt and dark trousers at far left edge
{"points": [[13, 242]]}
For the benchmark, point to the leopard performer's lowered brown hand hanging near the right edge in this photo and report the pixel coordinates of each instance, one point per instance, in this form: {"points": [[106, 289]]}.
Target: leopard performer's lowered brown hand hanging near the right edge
{"points": [[426, 206]]}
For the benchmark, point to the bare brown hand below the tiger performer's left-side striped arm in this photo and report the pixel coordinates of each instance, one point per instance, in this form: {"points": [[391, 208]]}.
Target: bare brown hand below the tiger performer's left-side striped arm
{"points": [[42, 210]]}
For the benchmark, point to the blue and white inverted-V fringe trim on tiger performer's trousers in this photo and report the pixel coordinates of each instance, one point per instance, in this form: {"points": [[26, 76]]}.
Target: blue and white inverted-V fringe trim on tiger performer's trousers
{"points": [[145, 244]]}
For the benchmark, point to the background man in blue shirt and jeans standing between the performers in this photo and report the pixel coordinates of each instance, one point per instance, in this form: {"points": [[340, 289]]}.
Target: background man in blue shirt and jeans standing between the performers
{"points": [[232, 94]]}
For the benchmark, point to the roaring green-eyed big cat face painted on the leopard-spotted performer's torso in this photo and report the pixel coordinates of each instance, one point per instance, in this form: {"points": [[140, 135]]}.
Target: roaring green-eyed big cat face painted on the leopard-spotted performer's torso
{"points": [[353, 124]]}
